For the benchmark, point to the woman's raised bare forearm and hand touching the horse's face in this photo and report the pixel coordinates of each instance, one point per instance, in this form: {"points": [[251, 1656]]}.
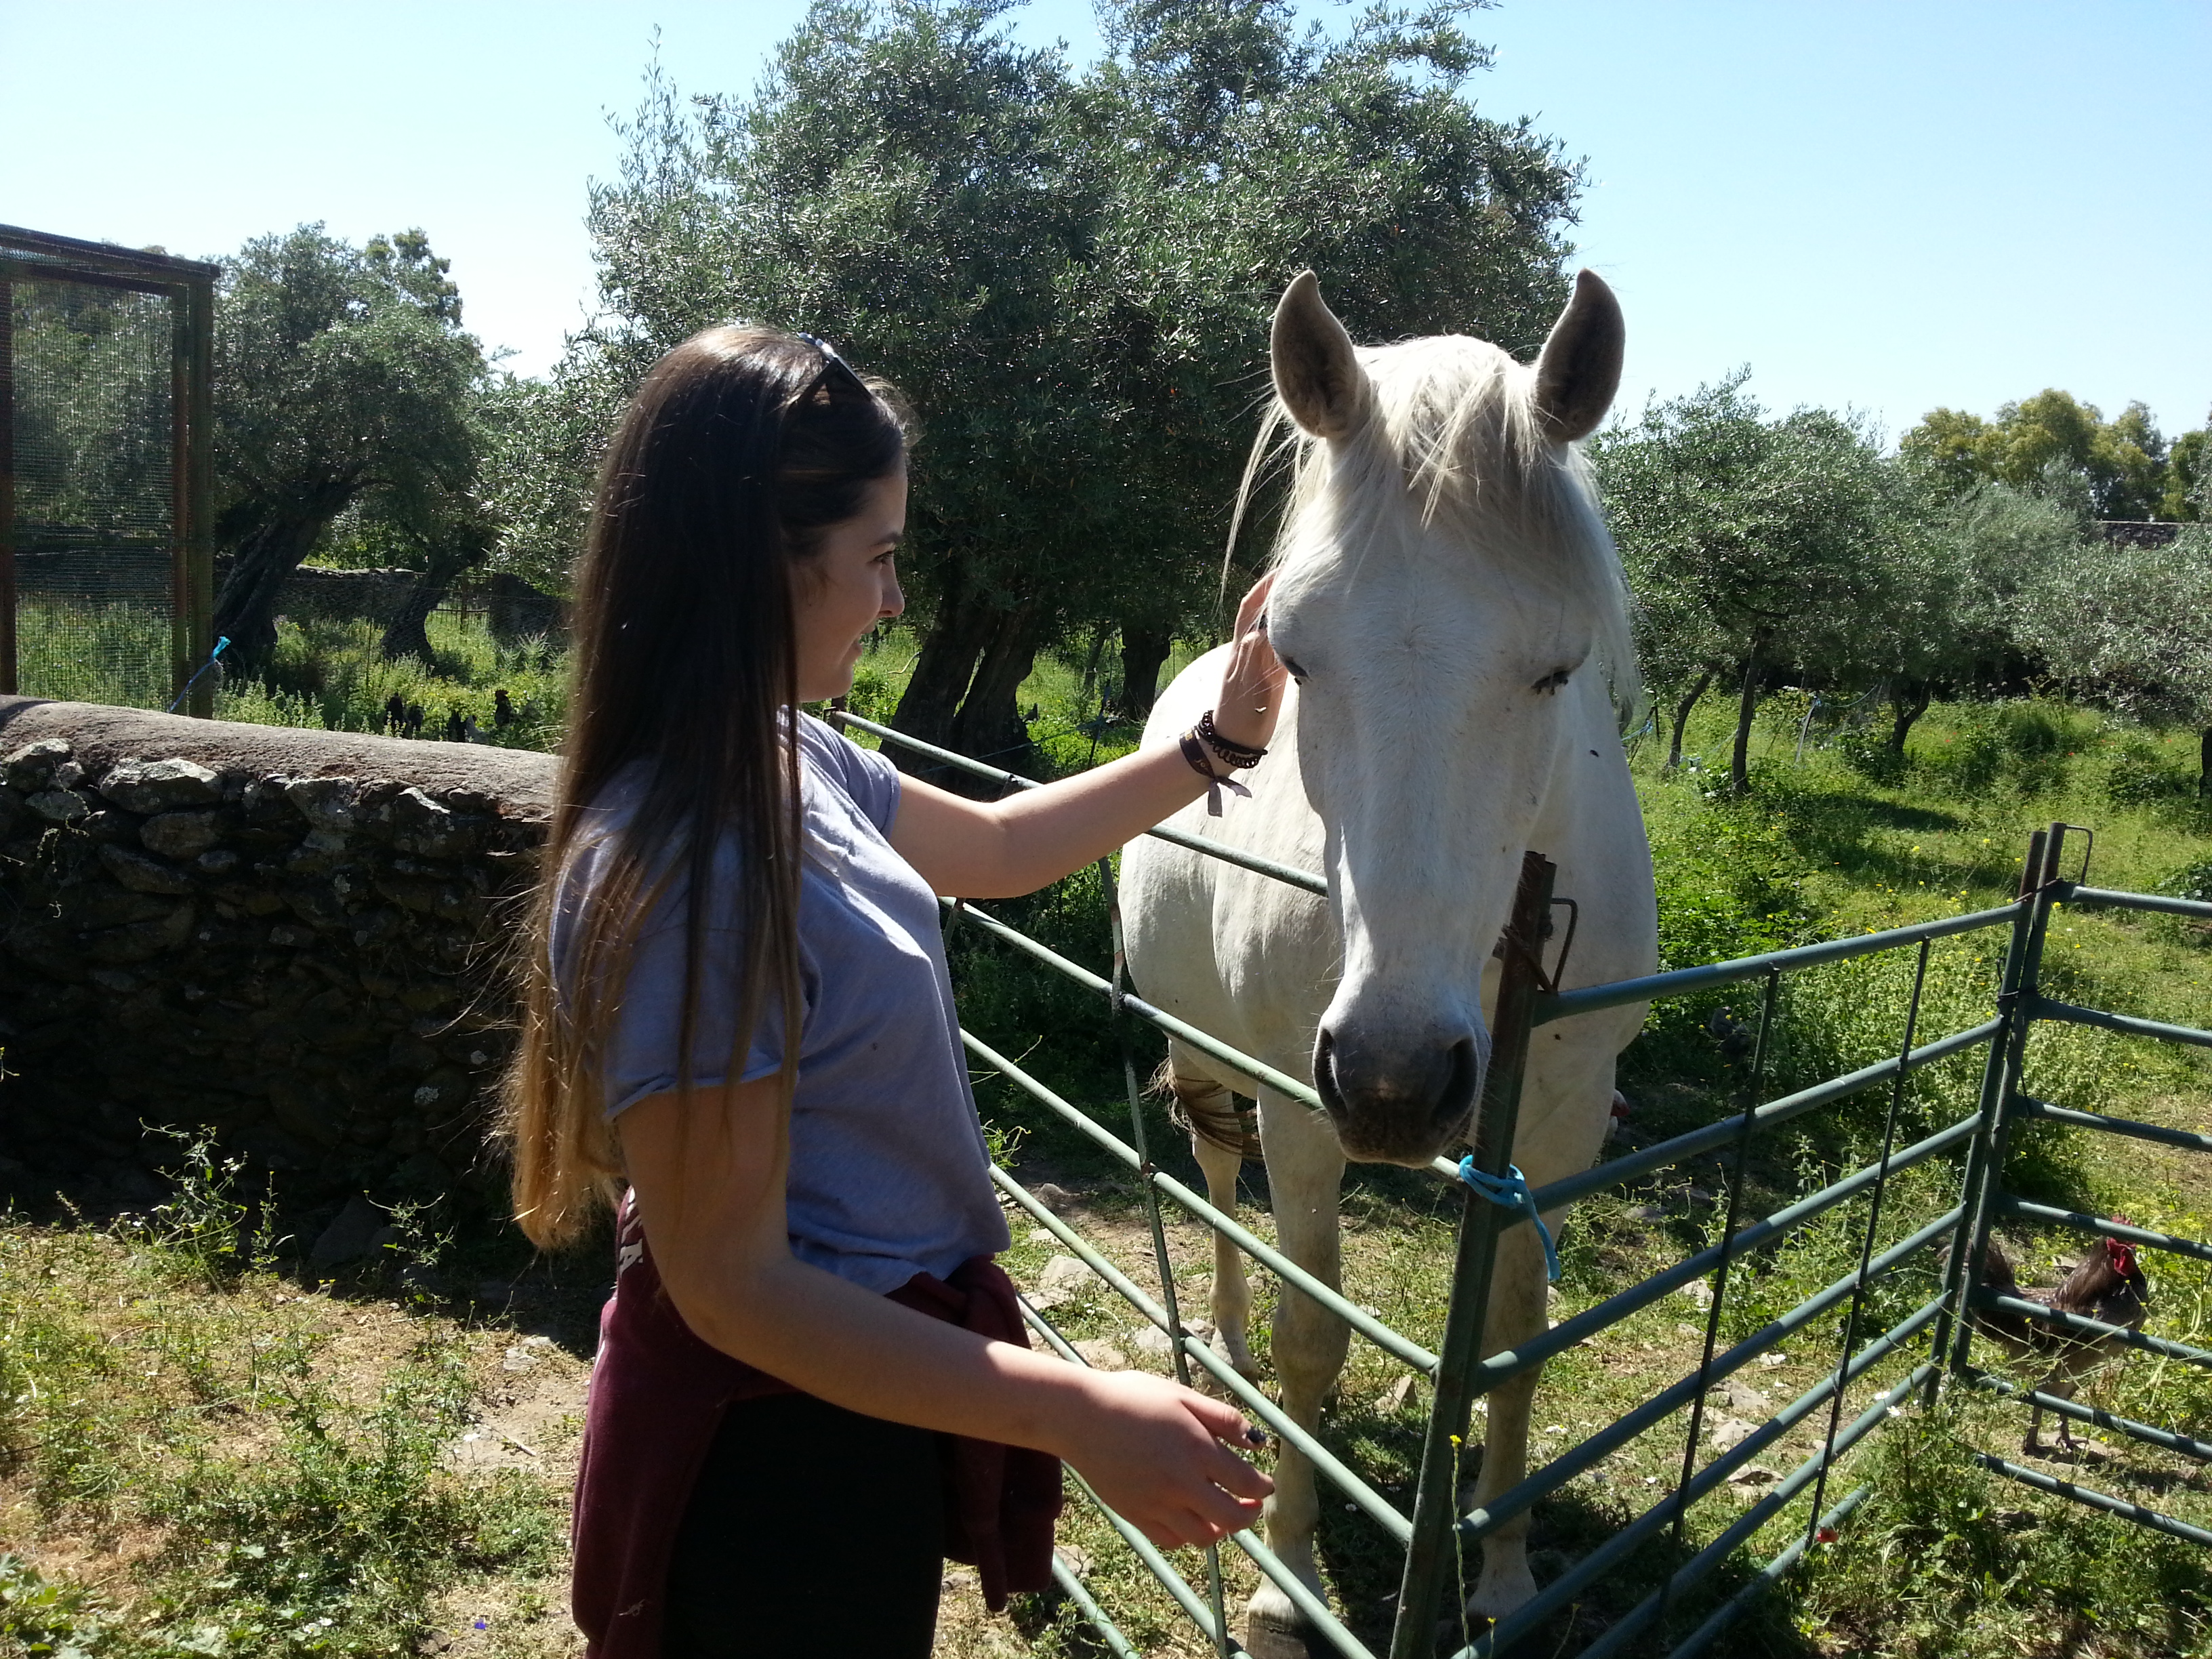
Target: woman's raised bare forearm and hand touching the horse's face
{"points": [[1036, 837]]}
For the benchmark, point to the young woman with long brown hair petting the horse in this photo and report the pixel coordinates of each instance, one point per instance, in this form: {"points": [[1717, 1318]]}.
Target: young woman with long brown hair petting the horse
{"points": [[811, 1384]]}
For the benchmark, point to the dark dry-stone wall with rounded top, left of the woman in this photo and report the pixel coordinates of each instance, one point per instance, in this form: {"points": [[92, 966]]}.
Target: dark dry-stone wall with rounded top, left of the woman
{"points": [[295, 939]]}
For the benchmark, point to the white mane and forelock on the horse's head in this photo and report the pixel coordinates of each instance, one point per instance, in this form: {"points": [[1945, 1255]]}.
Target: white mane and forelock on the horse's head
{"points": [[1454, 428]]}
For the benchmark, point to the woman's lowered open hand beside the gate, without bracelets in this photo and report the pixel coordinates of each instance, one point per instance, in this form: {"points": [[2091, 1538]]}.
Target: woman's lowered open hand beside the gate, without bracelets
{"points": [[1156, 1454]]}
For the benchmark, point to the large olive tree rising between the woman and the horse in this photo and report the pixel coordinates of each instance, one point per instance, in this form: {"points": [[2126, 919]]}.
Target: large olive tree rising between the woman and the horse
{"points": [[1072, 278]]}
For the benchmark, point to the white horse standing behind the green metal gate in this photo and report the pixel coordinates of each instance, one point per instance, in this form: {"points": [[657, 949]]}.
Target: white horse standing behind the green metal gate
{"points": [[1457, 629]]}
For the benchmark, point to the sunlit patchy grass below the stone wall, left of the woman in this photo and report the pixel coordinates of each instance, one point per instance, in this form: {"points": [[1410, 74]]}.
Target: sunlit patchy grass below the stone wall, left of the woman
{"points": [[238, 1465]]}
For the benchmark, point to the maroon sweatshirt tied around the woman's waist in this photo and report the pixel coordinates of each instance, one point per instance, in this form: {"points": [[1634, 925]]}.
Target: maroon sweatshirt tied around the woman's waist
{"points": [[656, 1404]]}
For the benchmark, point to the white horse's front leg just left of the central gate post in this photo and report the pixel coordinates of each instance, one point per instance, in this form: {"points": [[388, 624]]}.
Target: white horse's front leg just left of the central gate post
{"points": [[1308, 1346]]}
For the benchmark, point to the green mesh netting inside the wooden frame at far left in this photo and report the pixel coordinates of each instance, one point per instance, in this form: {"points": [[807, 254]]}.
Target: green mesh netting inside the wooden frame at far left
{"points": [[94, 452]]}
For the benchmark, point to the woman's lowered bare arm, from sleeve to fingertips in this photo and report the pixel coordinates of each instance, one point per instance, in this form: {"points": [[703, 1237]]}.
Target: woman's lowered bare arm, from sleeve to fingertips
{"points": [[709, 1180]]}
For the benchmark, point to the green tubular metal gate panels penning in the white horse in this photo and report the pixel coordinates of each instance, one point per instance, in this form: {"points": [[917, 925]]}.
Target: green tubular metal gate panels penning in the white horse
{"points": [[1932, 1344]]}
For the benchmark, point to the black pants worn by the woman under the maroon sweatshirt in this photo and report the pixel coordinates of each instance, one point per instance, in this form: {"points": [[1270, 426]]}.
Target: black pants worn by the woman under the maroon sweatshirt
{"points": [[813, 1530]]}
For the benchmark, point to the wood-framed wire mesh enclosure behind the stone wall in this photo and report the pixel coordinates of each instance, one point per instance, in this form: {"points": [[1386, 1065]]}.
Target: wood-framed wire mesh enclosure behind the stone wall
{"points": [[105, 472]]}
